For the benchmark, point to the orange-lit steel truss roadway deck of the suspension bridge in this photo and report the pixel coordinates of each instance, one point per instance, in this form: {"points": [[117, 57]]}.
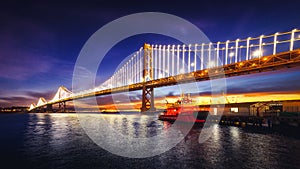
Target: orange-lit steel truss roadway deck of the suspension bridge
{"points": [[266, 63]]}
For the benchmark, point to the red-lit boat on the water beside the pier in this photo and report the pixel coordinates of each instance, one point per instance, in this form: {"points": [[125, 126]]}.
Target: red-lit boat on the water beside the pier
{"points": [[183, 110]]}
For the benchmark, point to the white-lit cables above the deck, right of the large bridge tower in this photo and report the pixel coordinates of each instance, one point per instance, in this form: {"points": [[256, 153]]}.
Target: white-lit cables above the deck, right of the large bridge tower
{"points": [[171, 60]]}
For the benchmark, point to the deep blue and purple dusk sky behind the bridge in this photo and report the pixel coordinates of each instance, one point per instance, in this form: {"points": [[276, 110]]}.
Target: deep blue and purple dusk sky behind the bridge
{"points": [[41, 40]]}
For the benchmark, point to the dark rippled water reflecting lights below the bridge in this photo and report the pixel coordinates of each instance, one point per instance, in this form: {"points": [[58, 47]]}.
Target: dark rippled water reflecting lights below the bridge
{"points": [[58, 141]]}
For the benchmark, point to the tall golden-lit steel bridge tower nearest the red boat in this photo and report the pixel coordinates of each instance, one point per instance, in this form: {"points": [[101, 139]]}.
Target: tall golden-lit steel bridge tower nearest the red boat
{"points": [[148, 92]]}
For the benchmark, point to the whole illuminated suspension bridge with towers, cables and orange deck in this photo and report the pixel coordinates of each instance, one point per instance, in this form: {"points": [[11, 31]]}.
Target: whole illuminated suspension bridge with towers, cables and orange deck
{"points": [[154, 66]]}
